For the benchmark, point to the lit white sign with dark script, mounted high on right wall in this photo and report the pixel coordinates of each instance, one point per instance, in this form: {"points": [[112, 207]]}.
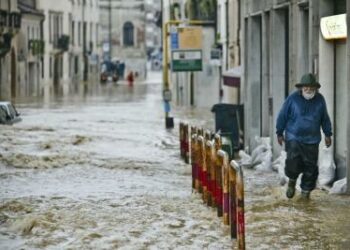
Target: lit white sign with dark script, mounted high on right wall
{"points": [[334, 27]]}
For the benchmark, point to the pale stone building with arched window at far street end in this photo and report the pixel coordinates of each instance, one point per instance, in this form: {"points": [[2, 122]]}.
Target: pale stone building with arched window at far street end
{"points": [[123, 27]]}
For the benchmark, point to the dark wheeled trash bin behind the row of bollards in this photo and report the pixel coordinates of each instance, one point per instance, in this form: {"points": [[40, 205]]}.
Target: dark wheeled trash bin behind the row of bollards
{"points": [[229, 121]]}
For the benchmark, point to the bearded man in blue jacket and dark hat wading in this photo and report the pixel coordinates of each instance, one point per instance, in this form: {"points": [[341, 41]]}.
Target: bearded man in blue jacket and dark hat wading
{"points": [[301, 118]]}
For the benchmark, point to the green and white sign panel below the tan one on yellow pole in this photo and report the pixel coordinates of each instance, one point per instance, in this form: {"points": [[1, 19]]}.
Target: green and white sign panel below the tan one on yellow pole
{"points": [[186, 60]]}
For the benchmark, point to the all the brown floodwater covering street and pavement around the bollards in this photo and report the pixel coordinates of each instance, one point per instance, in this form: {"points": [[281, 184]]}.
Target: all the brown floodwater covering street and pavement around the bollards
{"points": [[99, 171]]}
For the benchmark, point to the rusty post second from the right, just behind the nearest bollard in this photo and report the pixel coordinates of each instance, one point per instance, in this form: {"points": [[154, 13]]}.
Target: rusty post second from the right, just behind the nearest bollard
{"points": [[232, 199]]}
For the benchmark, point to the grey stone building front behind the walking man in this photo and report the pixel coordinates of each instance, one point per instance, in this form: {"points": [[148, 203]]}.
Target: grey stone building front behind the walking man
{"points": [[283, 41]]}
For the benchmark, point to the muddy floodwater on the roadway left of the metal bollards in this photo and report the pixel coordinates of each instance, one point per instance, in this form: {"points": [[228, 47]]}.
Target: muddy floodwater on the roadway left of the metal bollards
{"points": [[99, 172]]}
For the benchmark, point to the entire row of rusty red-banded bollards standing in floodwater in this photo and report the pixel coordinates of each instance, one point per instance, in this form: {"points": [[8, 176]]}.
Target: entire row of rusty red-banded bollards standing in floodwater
{"points": [[219, 181]]}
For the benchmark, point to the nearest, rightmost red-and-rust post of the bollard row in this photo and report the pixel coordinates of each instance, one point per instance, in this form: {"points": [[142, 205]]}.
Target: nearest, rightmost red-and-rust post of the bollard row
{"points": [[240, 209]]}
